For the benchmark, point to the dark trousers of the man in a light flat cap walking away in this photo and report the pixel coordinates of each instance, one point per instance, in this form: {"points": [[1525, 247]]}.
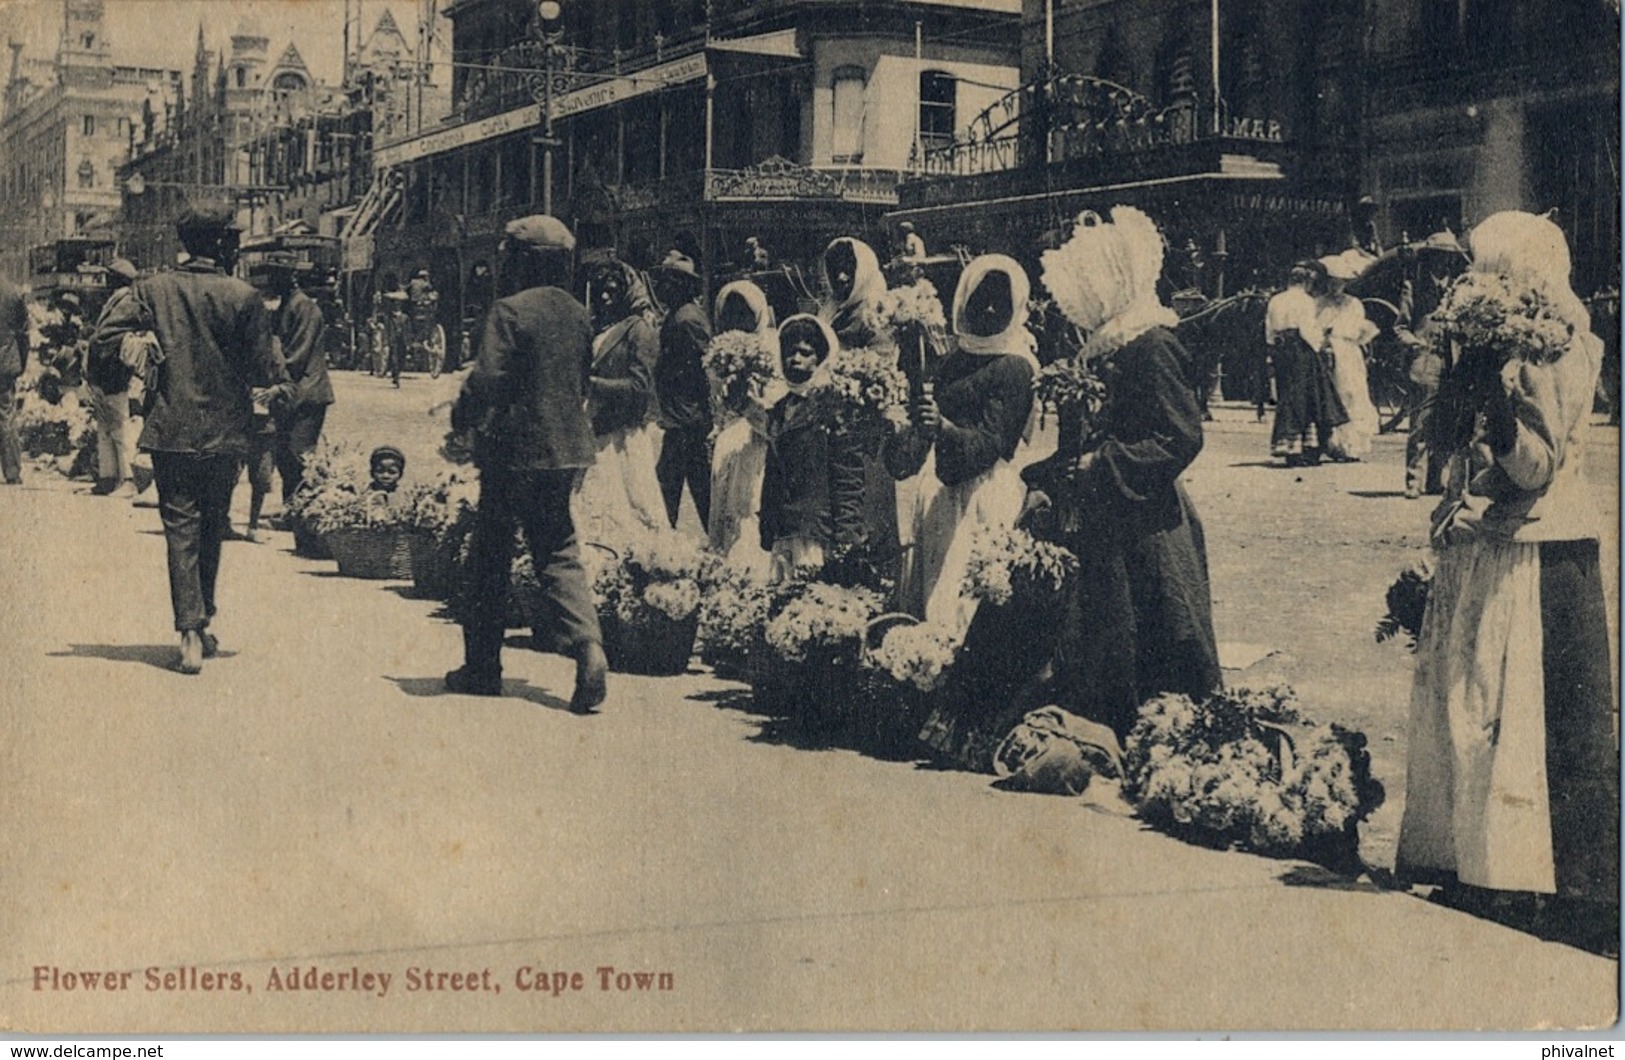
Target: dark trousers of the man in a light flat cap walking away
{"points": [[539, 503]]}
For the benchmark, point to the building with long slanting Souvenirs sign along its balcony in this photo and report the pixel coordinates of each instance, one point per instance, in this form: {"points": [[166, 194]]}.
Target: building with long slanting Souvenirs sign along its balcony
{"points": [[687, 123]]}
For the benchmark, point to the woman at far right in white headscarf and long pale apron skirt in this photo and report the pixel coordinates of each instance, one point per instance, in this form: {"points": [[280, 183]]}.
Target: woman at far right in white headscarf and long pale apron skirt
{"points": [[1512, 783]]}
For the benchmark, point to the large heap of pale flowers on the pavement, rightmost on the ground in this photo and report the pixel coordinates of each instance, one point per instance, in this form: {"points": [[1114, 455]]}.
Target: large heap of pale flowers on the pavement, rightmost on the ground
{"points": [[1246, 768]]}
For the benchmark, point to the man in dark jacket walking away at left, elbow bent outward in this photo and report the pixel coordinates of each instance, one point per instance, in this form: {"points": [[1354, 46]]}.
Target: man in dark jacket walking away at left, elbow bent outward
{"points": [[220, 362]]}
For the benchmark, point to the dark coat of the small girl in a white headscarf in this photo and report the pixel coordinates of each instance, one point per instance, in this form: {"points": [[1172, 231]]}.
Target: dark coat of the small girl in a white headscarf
{"points": [[813, 482]]}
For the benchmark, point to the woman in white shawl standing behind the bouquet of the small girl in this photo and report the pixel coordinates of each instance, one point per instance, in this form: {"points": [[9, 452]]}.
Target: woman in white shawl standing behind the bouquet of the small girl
{"points": [[856, 282]]}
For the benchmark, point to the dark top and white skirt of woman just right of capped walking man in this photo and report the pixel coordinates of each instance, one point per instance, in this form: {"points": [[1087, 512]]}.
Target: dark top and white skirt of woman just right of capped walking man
{"points": [[620, 495]]}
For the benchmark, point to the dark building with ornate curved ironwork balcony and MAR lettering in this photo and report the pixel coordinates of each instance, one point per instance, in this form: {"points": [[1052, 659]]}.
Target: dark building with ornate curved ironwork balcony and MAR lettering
{"points": [[1237, 136]]}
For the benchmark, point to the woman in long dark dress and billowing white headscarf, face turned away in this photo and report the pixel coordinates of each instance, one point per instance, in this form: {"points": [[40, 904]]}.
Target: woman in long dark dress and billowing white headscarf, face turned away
{"points": [[1137, 617]]}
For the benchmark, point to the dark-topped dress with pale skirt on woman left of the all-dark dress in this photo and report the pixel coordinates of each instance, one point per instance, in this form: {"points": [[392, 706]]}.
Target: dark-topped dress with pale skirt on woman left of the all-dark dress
{"points": [[968, 482]]}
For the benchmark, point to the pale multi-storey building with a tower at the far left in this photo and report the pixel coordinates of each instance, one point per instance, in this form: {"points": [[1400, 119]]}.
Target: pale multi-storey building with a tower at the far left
{"points": [[67, 128]]}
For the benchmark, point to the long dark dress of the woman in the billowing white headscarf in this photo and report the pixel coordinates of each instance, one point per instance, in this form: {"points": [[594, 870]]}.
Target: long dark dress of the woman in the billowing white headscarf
{"points": [[1138, 615]]}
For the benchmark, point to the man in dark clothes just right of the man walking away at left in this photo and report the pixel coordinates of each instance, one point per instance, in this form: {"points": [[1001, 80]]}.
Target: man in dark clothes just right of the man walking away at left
{"points": [[298, 328]]}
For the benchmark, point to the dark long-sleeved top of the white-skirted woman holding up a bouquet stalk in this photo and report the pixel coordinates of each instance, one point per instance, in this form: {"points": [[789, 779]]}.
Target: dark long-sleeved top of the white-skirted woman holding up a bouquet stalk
{"points": [[987, 402]]}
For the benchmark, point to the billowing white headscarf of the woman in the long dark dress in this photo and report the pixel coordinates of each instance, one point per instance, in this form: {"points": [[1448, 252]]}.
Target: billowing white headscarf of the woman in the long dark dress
{"points": [[1106, 279]]}
